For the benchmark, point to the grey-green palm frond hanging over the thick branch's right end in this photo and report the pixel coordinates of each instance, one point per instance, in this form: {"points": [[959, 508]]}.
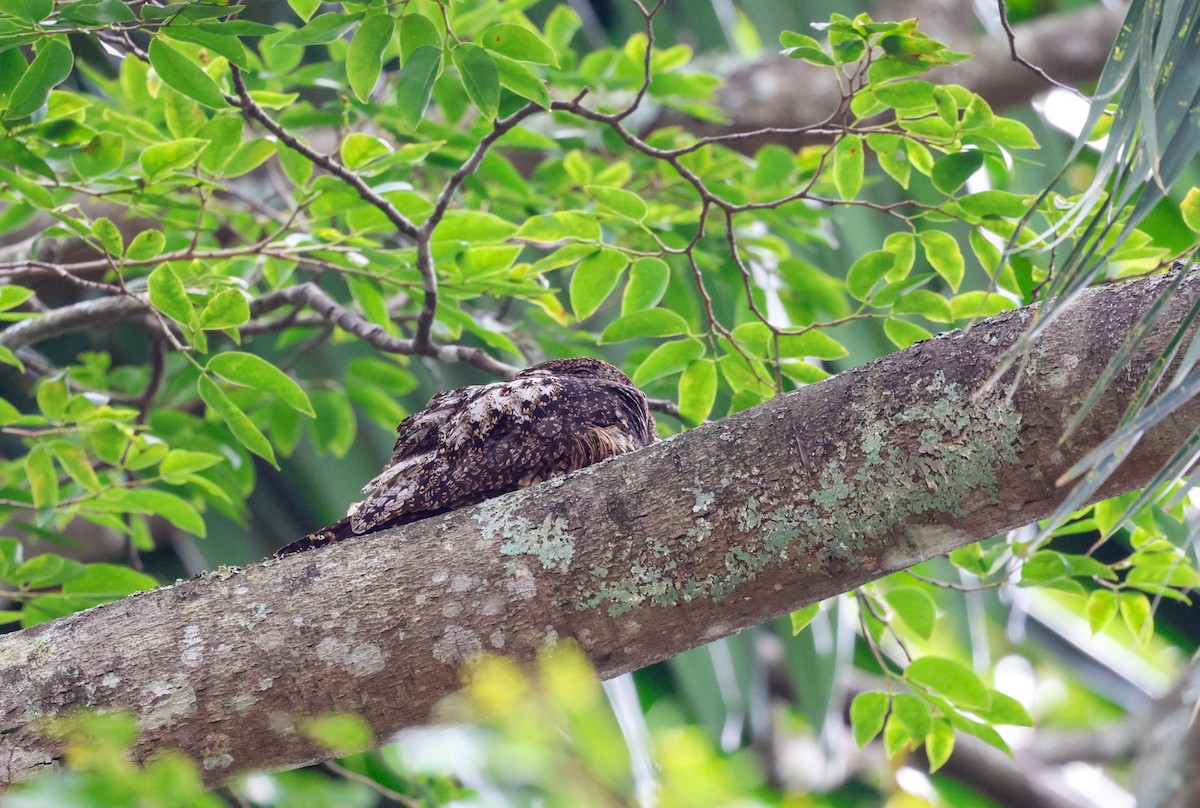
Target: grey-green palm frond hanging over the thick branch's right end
{"points": [[1151, 86]]}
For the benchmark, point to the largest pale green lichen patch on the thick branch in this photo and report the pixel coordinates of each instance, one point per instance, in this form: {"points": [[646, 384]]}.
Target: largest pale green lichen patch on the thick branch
{"points": [[925, 451]]}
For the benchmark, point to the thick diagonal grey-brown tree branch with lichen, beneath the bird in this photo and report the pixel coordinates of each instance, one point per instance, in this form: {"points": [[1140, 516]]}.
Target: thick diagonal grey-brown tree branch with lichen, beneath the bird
{"points": [[637, 559]]}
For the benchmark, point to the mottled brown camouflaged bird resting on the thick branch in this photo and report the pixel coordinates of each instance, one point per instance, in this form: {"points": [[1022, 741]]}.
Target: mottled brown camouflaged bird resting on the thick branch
{"points": [[483, 441]]}
